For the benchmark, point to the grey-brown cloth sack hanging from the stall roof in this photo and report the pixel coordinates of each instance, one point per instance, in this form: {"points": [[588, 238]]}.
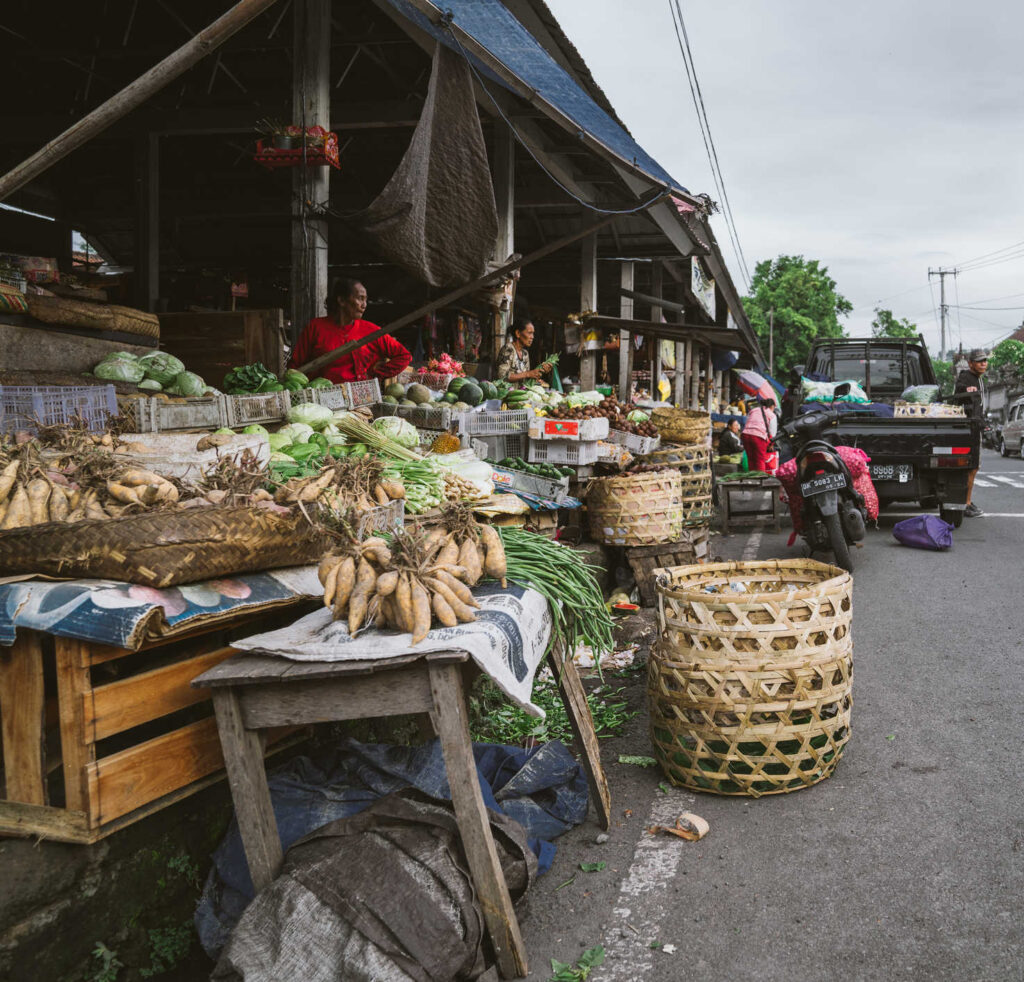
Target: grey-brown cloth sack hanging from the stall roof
{"points": [[437, 218]]}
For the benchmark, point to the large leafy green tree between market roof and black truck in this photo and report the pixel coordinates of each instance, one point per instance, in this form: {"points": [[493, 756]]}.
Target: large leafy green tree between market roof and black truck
{"points": [[805, 304]]}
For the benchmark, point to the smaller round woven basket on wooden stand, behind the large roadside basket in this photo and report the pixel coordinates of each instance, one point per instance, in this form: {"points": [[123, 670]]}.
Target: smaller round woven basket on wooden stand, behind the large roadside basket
{"points": [[636, 509]]}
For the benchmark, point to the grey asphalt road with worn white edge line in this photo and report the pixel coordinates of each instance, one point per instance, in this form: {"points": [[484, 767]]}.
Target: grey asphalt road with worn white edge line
{"points": [[907, 865]]}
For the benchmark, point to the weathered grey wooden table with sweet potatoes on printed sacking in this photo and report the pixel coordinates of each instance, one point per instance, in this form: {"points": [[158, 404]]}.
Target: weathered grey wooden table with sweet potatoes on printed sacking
{"points": [[252, 693]]}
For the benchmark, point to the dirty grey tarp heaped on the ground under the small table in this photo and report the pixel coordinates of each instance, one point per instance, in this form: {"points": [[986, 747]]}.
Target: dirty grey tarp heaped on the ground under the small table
{"points": [[385, 896]]}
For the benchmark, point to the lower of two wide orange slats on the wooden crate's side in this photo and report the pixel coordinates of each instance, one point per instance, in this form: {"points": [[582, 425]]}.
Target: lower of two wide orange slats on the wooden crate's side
{"points": [[131, 779]]}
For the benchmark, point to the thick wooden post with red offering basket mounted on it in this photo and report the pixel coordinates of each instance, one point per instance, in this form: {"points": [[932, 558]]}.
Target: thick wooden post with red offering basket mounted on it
{"points": [[311, 186]]}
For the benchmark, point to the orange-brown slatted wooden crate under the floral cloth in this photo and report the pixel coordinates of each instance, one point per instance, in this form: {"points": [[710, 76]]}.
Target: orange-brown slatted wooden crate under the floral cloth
{"points": [[96, 738]]}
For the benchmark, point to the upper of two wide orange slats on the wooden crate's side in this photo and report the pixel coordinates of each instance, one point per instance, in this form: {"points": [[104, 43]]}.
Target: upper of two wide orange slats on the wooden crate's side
{"points": [[147, 697]]}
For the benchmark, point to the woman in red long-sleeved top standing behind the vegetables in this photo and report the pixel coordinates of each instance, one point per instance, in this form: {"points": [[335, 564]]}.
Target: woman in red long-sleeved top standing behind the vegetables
{"points": [[382, 359]]}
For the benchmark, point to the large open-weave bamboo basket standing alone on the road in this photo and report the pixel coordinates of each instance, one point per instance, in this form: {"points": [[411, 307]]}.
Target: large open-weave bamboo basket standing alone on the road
{"points": [[750, 686]]}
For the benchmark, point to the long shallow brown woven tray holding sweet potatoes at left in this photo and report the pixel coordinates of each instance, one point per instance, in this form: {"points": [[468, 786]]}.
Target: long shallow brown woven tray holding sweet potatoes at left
{"points": [[163, 548]]}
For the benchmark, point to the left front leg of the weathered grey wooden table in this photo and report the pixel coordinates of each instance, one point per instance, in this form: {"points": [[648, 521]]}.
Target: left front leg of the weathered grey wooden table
{"points": [[247, 777]]}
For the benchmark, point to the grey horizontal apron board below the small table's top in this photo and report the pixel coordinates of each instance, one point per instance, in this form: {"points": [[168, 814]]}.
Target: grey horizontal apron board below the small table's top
{"points": [[298, 704]]}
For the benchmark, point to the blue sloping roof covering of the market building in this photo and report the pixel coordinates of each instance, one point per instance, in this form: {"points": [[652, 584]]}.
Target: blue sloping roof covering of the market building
{"points": [[495, 28]]}
